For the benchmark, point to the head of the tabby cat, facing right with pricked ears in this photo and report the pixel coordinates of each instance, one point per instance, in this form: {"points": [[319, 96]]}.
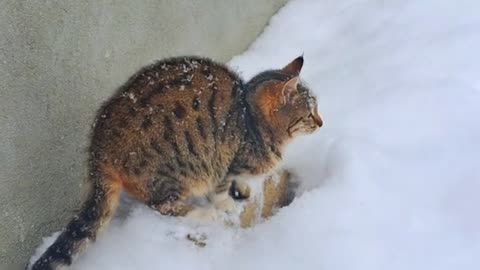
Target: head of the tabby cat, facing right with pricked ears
{"points": [[287, 104]]}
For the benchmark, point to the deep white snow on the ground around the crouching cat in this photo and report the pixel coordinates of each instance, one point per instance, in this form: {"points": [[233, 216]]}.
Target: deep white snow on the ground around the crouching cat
{"points": [[390, 182]]}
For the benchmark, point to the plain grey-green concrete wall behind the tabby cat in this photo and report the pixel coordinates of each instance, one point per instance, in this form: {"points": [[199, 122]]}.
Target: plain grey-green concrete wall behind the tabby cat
{"points": [[58, 61]]}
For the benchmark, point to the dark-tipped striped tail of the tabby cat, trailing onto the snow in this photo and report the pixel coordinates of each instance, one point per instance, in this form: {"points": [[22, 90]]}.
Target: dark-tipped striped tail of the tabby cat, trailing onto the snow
{"points": [[96, 211]]}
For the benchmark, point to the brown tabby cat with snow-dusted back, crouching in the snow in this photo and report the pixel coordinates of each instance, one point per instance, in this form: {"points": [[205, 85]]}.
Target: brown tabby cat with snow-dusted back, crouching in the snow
{"points": [[180, 129]]}
